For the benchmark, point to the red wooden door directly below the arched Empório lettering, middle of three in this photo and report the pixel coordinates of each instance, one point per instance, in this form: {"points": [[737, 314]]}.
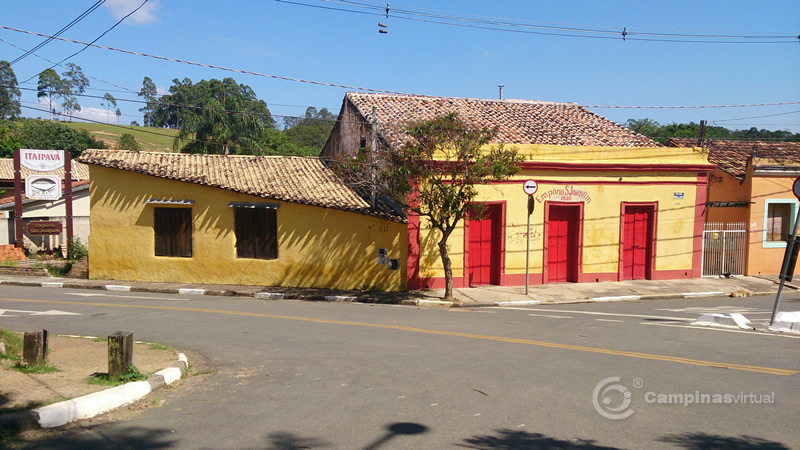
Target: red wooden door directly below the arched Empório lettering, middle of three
{"points": [[562, 244]]}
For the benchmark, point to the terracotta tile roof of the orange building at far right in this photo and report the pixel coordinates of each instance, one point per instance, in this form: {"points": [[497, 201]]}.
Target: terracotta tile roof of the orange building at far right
{"points": [[732, 156]]}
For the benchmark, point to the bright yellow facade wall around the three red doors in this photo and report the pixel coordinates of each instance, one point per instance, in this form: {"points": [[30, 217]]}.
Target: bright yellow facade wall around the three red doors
{"points": [[675, 226]]}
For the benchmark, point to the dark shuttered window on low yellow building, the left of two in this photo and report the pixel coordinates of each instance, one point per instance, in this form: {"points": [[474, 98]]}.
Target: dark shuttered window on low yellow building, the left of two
{"points": [[173, 229]]}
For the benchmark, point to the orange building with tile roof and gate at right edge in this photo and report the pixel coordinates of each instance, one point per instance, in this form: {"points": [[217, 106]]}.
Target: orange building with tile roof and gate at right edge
{"points": [[750, 194]]}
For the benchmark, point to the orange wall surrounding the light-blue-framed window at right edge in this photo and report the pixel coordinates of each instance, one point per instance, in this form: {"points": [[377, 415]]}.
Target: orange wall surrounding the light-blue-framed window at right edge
{"points": [[763, 260]]}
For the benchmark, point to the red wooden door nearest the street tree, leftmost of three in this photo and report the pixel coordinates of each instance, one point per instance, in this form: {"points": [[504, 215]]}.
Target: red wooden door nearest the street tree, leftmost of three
{"points": [[483, 260]]}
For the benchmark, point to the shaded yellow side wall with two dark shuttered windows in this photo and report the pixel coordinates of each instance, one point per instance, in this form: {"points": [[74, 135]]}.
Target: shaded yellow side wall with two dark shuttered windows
{"points": [[317, 247]]}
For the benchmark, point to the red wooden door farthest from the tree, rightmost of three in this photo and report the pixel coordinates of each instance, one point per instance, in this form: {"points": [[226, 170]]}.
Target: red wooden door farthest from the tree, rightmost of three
{"points": [[636, 246]]}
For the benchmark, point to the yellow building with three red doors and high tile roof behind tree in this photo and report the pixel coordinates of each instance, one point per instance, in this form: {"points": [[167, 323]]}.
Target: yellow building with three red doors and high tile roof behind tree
{"points": [[610, 205]]}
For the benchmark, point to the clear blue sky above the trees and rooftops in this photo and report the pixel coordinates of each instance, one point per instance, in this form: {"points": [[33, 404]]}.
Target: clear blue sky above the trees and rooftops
{"points": [[278, 38]]}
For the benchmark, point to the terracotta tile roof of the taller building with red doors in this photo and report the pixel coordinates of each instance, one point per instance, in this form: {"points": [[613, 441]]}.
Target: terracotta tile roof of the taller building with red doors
{"points": [[518, 121]]}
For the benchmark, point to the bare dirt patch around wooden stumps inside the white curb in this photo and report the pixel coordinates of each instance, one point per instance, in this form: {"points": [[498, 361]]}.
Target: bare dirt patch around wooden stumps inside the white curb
{"points": [[77, 359]]}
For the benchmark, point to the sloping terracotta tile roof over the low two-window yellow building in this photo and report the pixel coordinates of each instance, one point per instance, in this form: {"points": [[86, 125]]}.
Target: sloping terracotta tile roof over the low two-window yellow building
{"points": [[293, 179]]}
